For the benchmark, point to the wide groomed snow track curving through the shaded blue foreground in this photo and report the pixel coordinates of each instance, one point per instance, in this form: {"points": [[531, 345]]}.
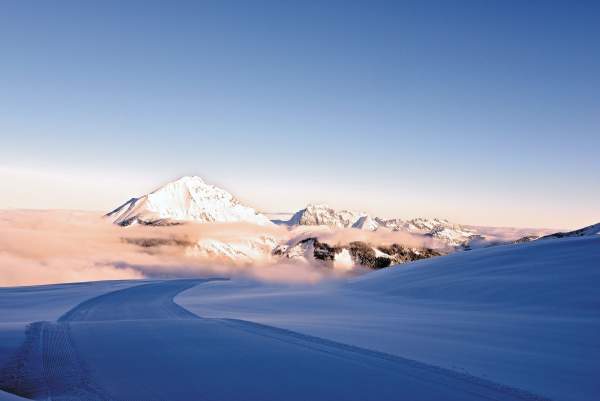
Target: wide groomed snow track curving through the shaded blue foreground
{"points": [[137, 344]]}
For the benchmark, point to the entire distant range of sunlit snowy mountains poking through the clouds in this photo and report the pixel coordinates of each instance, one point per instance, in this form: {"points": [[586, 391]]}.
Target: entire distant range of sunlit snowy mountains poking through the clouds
{"points": [[190, 199]]}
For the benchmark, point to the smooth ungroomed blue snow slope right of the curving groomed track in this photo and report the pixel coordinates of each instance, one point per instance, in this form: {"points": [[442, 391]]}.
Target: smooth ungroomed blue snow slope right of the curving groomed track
{"points": [[525, 315]]}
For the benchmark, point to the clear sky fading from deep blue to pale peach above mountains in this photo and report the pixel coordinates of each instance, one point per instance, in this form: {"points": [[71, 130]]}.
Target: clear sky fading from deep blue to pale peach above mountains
{"points": [[480, 112]]}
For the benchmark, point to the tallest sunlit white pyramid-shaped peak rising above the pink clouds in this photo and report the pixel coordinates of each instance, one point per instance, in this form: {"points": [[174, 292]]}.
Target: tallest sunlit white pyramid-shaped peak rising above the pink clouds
{"points": [[186, 199]]}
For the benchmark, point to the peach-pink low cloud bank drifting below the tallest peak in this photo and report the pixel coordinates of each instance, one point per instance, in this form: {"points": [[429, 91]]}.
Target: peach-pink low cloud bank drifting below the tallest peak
{"points": [[44, 247]]}
